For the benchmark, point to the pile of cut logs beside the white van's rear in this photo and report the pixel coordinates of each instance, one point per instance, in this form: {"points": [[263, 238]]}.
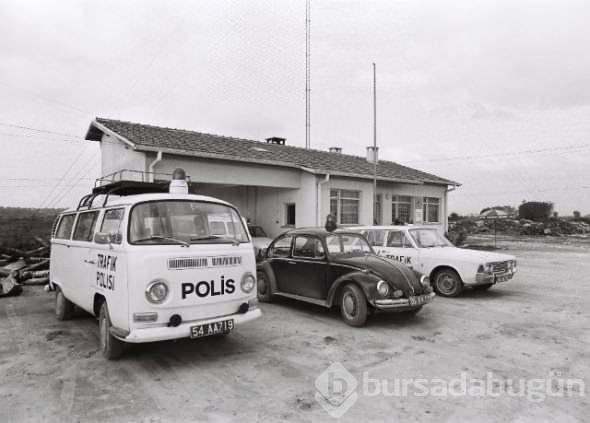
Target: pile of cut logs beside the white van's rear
{"points": [[19, 268]]}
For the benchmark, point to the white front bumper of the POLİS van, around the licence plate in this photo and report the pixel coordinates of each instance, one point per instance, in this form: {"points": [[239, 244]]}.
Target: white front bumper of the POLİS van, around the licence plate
{"points": [[163, 333]]}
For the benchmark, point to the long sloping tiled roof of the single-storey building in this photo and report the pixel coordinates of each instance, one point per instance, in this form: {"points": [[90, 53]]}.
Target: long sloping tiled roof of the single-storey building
{"points": [[183, 142]]}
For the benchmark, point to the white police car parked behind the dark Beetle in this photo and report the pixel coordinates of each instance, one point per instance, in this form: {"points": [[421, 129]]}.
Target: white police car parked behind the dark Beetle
{"points": [[450, 268]]}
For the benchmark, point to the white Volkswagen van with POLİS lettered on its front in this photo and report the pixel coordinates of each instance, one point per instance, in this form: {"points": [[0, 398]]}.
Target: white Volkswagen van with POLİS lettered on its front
{"points": [[144, 258]]}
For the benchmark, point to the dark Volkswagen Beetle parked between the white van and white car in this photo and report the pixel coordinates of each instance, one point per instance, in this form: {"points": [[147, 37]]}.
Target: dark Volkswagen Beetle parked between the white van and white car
{"points": [[339, 269]]}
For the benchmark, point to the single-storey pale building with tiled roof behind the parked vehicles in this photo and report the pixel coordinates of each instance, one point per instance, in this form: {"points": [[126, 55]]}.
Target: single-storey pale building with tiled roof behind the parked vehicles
{"points": [[273, 184]]}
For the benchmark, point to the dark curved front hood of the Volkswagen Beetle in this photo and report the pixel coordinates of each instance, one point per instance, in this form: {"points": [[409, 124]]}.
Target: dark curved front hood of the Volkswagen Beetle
{"points": [[399, 275]]}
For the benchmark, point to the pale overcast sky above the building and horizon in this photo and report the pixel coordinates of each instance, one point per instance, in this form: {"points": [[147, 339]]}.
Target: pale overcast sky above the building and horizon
{"points": [[492, 94]]}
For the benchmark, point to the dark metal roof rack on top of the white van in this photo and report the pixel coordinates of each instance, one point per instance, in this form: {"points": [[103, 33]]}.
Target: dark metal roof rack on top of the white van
{"points": [[126, 182]]}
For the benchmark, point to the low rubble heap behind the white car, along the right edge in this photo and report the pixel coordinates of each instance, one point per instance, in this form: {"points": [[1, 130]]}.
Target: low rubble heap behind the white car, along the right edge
{"points": [[507, 226]]}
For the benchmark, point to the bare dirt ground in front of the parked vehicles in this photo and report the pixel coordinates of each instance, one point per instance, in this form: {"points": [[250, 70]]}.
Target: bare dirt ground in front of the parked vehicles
{"points": [[537, 326]]}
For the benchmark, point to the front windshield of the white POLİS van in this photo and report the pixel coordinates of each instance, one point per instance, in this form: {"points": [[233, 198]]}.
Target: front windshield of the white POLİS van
{"points": [[185, 222]]}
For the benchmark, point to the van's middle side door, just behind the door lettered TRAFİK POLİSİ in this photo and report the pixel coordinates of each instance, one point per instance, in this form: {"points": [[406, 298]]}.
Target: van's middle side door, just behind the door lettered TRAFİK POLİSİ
{"points": [[81, 262]]}
